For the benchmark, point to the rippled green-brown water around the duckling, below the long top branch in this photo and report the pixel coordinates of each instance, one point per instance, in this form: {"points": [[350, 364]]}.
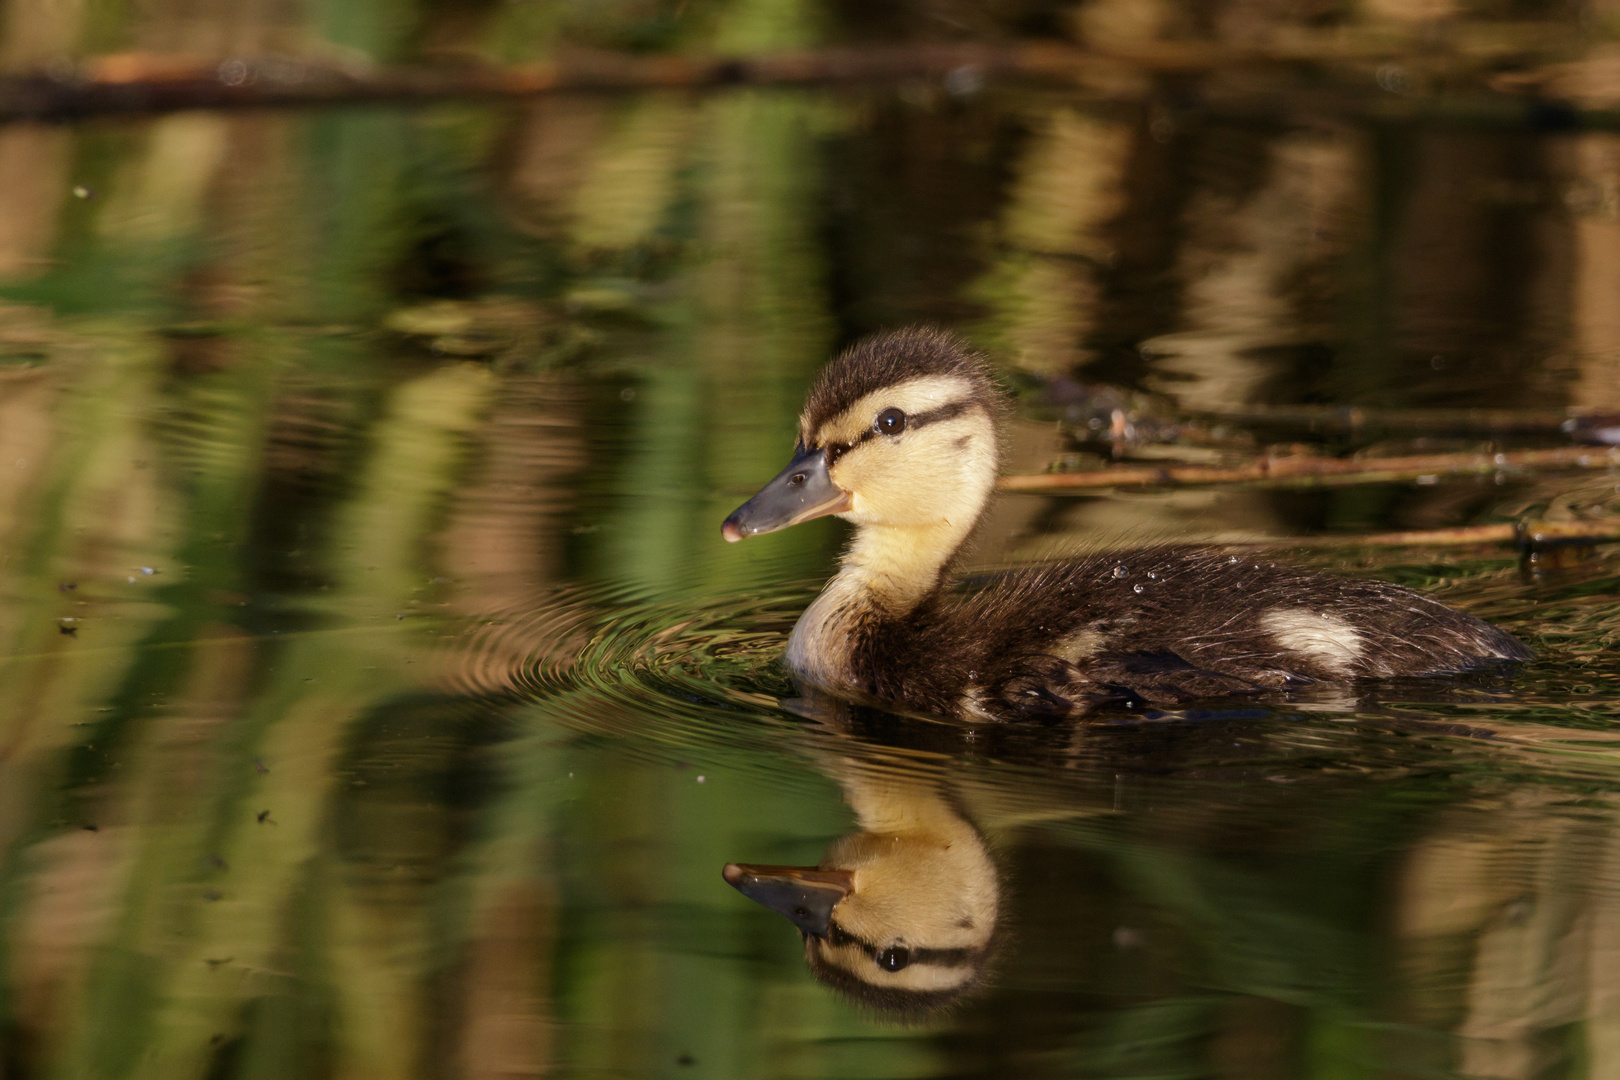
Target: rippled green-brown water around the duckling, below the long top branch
{"points": [[380, 700]]}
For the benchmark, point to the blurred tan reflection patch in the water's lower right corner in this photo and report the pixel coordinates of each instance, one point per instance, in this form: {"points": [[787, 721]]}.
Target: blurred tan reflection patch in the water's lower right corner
{"points": [[1524, 899]]}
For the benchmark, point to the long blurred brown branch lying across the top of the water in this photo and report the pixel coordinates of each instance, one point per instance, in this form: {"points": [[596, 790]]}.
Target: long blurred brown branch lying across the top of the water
{"points": [[156, 83]]}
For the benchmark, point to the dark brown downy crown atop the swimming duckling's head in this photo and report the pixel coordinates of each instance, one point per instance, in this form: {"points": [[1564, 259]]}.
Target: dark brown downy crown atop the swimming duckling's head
{"points": [[890, 359]]}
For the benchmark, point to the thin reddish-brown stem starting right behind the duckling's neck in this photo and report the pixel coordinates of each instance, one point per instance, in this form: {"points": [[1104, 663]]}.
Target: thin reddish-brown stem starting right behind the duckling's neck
{"points": [[1311, 472]]}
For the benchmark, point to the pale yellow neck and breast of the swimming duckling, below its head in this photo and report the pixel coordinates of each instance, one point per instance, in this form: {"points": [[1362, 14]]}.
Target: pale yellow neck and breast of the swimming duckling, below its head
{"points": [[887, 574]]}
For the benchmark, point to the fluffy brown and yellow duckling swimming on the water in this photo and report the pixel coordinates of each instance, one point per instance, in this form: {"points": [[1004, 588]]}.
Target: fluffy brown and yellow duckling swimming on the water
{"points": [[898, 436]]}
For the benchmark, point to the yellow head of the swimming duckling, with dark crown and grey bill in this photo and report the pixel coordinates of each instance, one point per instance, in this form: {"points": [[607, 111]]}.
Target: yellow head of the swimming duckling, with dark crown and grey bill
{"points": [[898, 433]]}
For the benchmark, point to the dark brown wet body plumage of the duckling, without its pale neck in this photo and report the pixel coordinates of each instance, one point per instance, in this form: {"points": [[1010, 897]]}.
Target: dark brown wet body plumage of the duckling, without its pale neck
{"points": [[1192, 632]]}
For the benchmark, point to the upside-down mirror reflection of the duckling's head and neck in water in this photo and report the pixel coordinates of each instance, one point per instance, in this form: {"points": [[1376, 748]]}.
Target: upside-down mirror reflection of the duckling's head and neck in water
{"points": [[900, 916]]}
